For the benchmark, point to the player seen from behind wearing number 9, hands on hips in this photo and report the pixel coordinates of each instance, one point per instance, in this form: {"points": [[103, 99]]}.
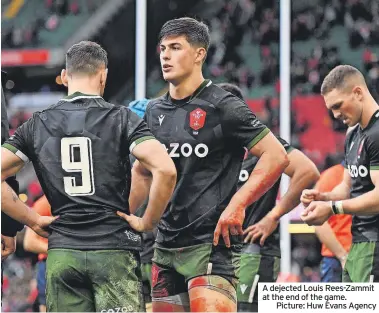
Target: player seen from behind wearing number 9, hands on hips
{"points": [[80, 150]]}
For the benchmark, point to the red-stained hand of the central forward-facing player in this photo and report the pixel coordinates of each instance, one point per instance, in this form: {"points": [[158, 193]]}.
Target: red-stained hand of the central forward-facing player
{"points": [[230, 222]]}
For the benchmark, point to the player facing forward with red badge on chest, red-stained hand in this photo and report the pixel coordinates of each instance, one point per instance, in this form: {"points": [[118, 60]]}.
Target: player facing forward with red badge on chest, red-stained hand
{"points": [[205, 130]]}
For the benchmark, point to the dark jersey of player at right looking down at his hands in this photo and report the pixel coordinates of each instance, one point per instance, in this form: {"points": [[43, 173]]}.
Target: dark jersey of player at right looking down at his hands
{"points": [[361, 157]]}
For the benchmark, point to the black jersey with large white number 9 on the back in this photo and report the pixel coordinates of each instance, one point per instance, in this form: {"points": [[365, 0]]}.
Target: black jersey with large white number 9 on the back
{"points": [[80, 151]]}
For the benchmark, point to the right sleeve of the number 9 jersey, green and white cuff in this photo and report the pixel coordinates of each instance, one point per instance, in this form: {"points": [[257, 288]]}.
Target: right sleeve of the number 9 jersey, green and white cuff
{"points": [[137, 130]]}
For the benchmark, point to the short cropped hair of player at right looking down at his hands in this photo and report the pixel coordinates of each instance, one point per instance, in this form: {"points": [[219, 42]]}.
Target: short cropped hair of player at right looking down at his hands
{"points": [[337, 78]]}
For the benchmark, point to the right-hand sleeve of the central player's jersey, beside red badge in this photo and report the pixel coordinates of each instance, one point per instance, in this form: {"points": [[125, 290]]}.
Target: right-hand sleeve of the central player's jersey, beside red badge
{"points": [[239, 124]]}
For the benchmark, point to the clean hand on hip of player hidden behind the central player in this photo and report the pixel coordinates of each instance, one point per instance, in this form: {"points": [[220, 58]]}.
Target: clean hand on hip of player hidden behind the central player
{"points": [[262, 230]]}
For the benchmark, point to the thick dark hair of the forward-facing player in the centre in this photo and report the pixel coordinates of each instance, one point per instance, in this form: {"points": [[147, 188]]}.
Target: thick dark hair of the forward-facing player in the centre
{"points": [[196, 32]]}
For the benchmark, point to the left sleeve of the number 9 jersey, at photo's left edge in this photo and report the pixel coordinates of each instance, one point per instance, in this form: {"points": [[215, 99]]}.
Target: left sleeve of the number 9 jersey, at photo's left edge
{"points": [[21, 142]]}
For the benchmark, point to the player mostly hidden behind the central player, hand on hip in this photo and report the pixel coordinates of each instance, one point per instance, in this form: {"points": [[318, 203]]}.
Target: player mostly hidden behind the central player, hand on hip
{"points": [[260, 258]]}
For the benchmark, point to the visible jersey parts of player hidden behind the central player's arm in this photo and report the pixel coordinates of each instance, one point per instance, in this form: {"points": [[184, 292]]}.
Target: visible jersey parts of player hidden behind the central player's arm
{"points": [[259, 209]]}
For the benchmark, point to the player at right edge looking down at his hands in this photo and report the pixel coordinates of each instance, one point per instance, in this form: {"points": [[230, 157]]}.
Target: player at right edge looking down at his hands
{"points": [[346, 94]]}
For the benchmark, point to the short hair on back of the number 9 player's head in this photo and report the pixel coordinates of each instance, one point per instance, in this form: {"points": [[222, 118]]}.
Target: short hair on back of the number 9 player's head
{"points": [[86, 57]]}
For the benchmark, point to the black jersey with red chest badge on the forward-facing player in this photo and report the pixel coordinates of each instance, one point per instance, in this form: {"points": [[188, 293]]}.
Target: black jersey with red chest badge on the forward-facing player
{"points": [[206, 136]]}
